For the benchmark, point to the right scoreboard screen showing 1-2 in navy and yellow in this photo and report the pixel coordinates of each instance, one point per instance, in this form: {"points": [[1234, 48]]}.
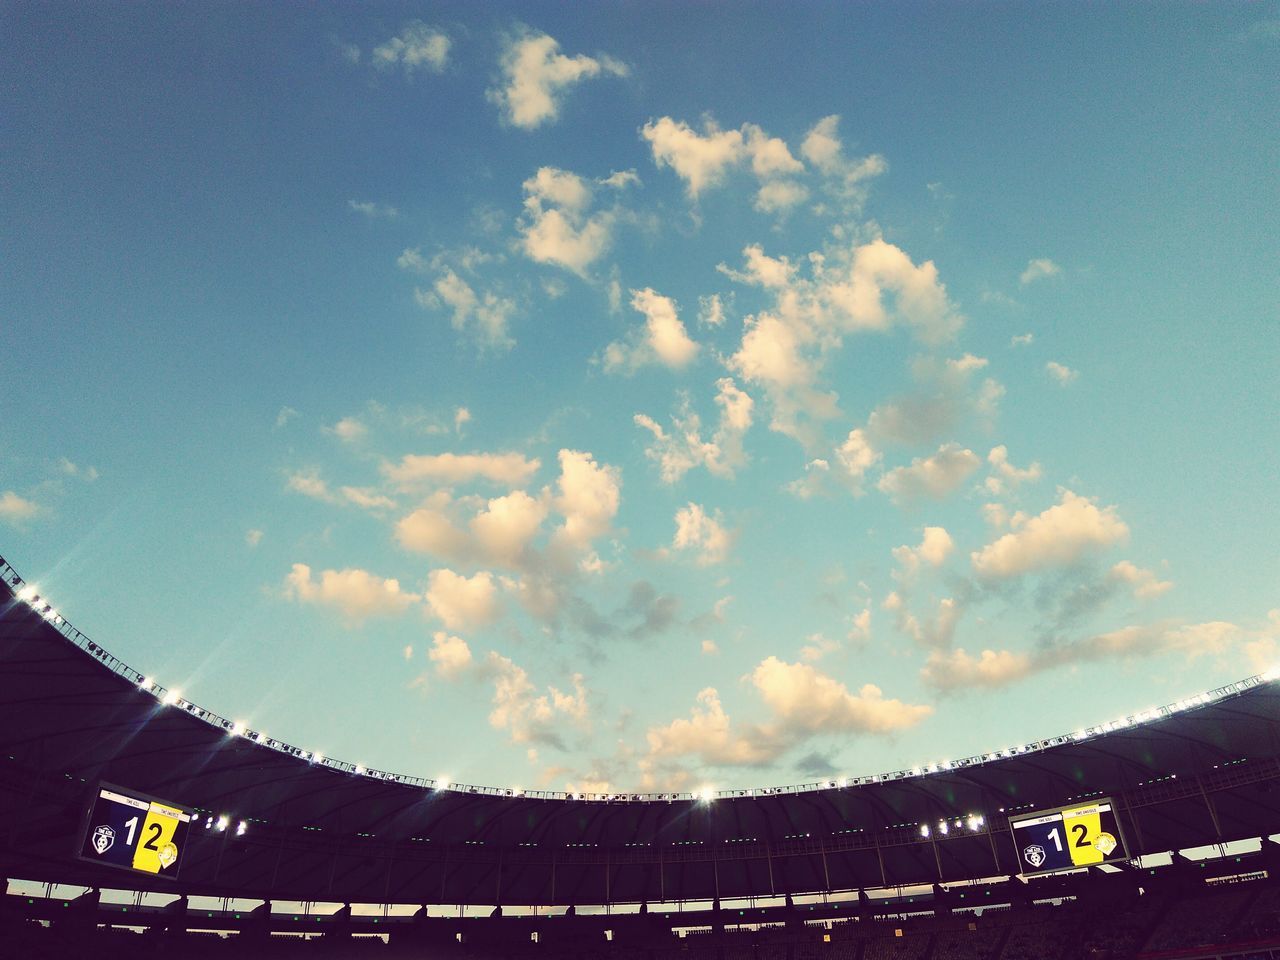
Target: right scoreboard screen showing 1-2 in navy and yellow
{"points": [[1068, 838]]}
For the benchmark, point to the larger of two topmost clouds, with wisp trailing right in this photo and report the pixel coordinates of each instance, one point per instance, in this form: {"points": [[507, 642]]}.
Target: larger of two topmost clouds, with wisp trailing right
{"points": [[537, 76]]}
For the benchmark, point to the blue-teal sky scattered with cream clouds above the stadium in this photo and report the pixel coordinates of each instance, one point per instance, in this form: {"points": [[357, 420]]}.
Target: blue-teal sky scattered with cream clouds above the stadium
{"points": [[648, 396]]}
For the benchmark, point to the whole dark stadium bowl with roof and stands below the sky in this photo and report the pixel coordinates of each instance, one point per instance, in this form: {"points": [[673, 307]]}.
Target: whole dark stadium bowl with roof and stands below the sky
{"points": [[287, 853]]}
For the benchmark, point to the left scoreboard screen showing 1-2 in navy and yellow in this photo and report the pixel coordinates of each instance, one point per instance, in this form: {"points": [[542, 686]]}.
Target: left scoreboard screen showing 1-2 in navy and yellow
{"points": [[134, 831]]}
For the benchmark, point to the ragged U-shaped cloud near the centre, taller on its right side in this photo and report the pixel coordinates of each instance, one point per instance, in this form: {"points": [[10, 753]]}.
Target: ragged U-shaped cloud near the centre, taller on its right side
{"points": [[683, 449]]}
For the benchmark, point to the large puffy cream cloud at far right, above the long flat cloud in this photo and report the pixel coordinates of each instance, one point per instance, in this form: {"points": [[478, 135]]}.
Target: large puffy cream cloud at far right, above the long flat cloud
{"points": [[1058, 538]]}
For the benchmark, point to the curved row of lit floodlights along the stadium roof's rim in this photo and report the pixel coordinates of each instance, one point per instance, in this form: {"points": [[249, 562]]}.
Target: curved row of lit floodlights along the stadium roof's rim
{"points": [[29, 593]]}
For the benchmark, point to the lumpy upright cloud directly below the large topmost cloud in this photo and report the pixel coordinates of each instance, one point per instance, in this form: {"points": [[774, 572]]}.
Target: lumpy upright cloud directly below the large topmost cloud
{"points": [[556, 227]]}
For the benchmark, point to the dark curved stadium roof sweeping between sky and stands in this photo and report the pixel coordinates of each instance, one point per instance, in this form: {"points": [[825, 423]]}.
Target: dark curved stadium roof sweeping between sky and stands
{"points": [[72, 716]]}
